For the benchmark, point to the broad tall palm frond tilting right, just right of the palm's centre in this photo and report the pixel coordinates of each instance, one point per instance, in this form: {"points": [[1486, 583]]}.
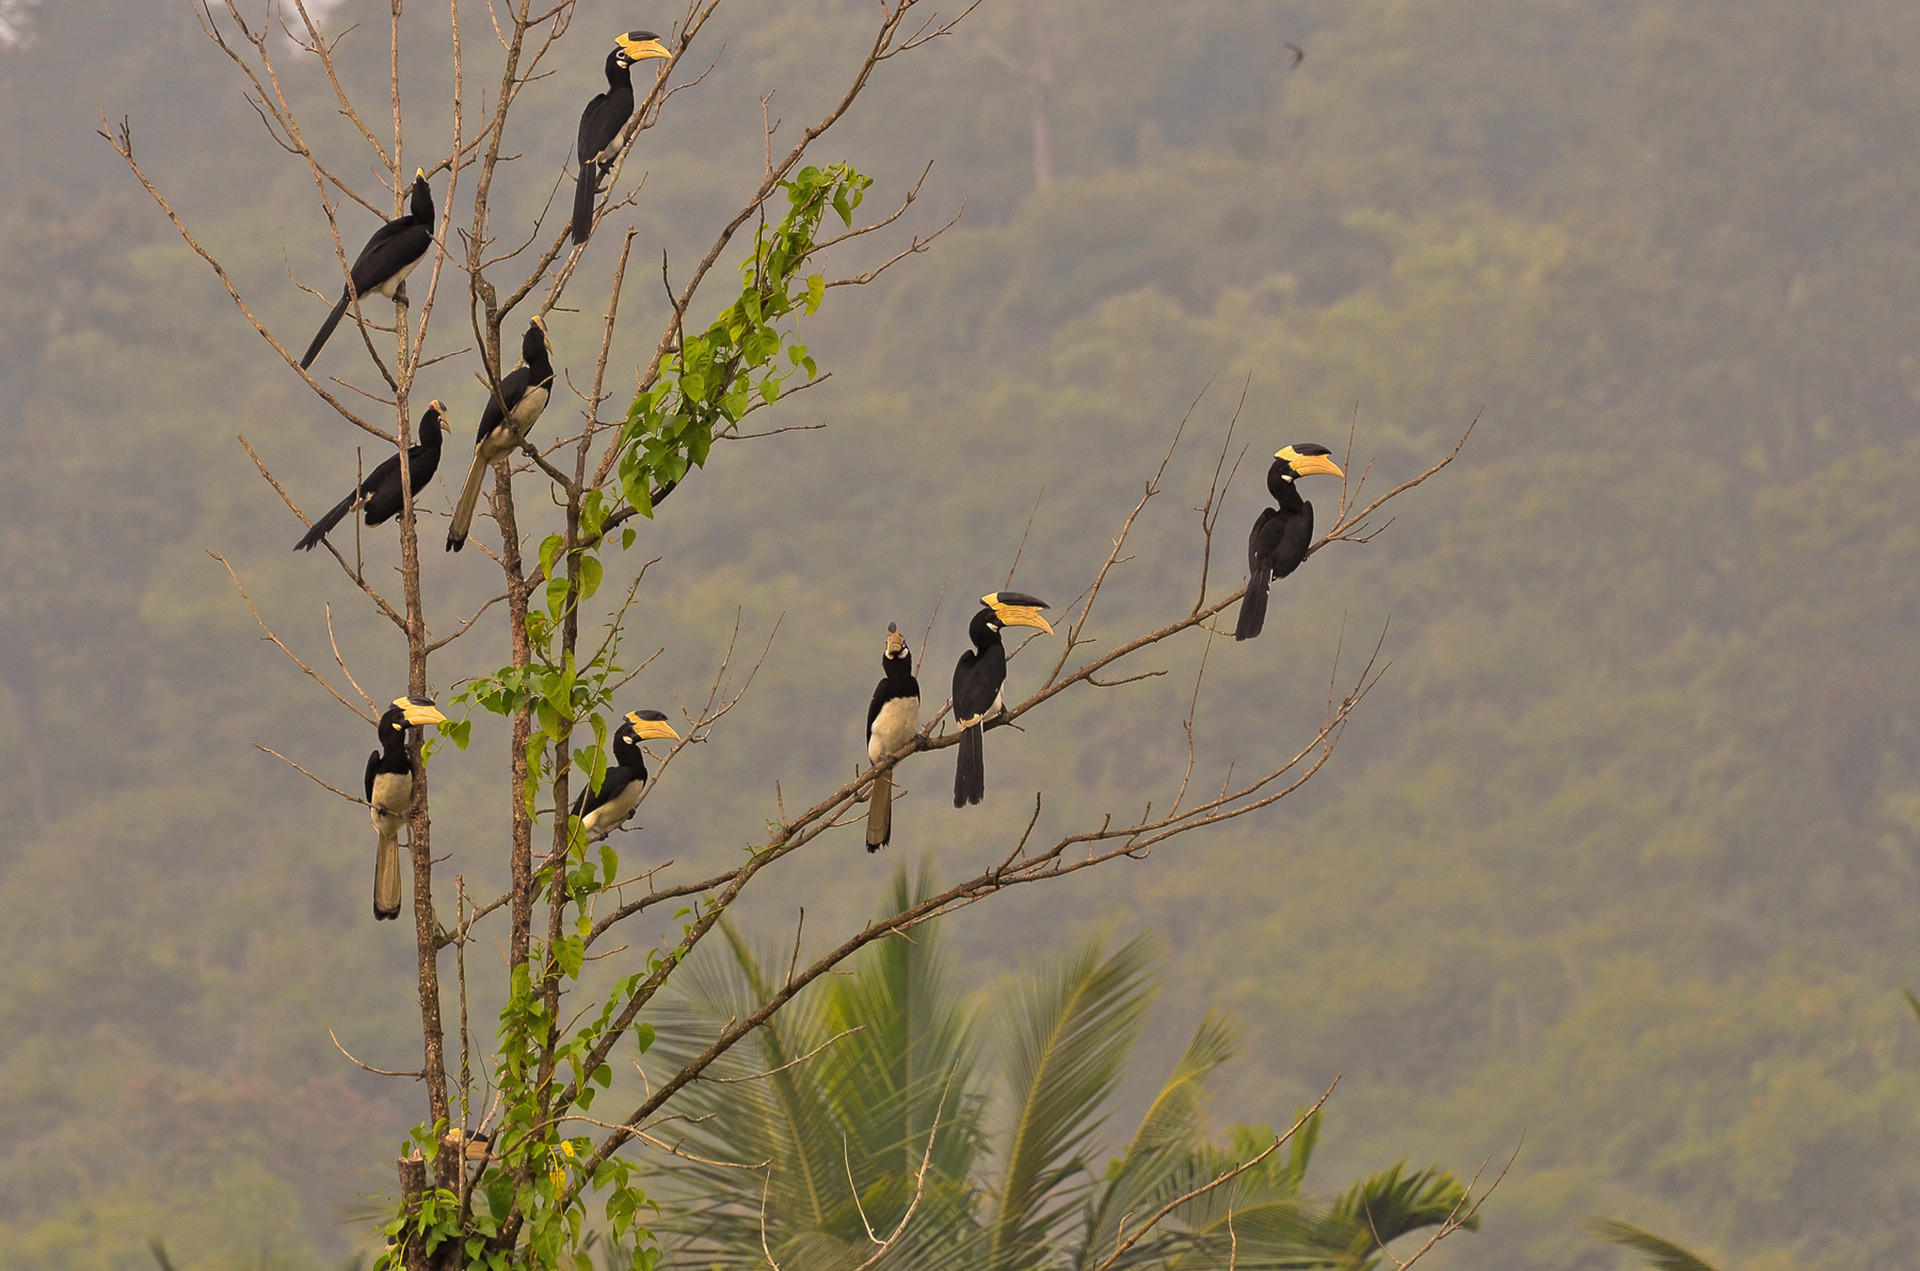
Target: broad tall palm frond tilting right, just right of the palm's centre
{"points": [[1065, 1032]]}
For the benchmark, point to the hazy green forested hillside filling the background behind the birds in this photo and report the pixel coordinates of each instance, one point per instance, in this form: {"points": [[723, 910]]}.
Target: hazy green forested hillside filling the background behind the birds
{"points": [[1623, 857]]}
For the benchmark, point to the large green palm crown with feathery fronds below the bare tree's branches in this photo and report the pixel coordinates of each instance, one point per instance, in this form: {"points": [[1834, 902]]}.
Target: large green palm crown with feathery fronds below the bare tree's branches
{"points": [[888, 1101]]}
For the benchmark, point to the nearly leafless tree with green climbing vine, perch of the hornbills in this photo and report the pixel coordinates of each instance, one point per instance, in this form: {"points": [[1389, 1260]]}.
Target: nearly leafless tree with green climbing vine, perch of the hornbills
{"points": [[508, 1161]]}
